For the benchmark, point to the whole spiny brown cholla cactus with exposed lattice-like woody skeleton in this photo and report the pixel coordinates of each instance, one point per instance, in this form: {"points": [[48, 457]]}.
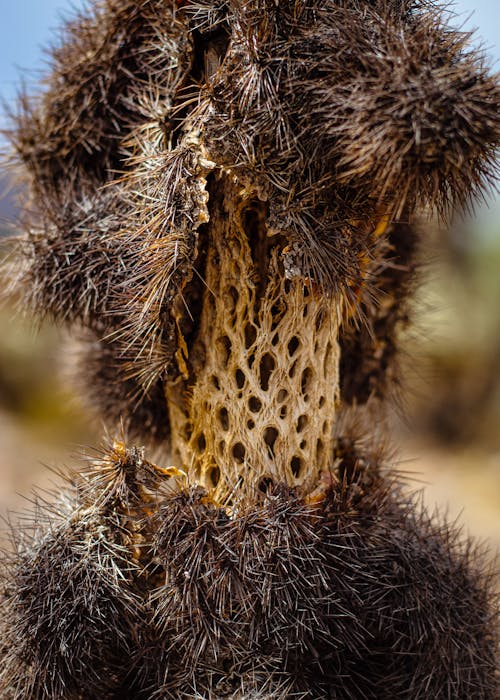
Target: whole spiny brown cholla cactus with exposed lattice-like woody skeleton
{"points": [[223, 206]]}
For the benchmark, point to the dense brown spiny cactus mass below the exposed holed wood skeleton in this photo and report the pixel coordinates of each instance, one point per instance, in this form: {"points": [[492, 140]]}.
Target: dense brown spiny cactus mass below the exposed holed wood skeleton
{"points": [[134, 588]]}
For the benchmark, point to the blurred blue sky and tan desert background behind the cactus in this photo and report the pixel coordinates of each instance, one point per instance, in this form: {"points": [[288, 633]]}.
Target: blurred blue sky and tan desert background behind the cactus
{"points": [[447, 425]]}
